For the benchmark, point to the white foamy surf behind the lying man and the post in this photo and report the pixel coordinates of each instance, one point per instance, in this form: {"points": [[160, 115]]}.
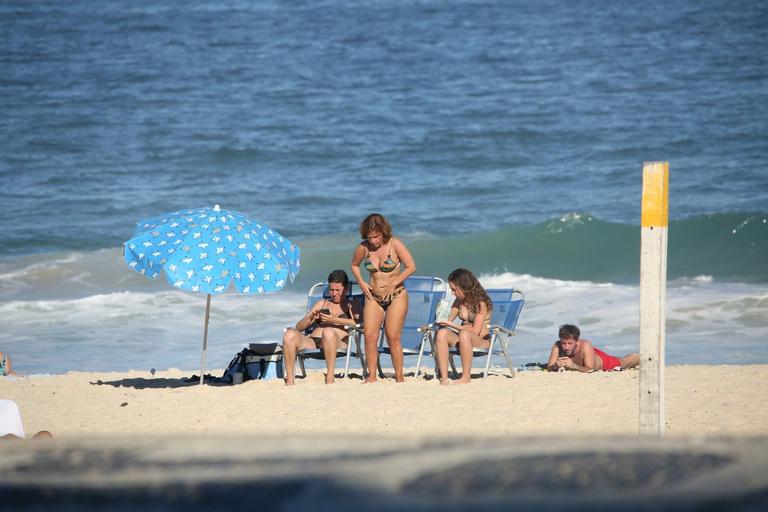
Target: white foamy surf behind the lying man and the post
{"points": [[706, 321]]}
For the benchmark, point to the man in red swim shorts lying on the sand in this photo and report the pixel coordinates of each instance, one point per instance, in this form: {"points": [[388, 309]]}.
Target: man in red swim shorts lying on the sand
{"points": [[570, 352]]}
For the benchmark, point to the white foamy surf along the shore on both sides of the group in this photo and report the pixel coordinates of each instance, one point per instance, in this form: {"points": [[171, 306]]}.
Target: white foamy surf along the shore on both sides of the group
{"points": [[707, 322]]}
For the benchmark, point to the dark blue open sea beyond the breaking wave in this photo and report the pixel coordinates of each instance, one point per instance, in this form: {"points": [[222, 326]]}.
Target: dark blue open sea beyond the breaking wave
{"points": [[448, 116]]}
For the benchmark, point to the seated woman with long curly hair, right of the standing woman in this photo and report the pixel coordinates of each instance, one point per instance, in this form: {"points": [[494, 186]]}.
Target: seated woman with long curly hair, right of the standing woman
{"points": [[473, 307]]}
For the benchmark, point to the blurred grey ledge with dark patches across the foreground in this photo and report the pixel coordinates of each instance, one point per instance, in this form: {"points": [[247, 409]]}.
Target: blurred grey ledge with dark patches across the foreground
{"points": [[360, 473]]}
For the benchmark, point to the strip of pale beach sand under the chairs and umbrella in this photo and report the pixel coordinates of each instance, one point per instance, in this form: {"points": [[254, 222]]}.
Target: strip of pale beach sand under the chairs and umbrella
{"points": [[711, 400]]}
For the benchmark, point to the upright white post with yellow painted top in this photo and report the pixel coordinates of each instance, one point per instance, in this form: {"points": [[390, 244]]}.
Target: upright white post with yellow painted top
{"points": [[653, 291]]}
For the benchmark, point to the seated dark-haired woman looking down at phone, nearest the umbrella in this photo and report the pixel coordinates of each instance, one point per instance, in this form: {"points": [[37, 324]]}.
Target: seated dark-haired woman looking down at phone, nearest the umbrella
{"points": [[325, 321]]}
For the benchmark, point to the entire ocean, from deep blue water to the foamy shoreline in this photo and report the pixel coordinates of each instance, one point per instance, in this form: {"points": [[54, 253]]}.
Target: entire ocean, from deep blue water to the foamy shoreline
{"points": [[506, 137]]}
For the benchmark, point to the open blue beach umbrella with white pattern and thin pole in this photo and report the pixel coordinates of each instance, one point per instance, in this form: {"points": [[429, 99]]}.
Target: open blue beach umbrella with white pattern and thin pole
{"points": [[204, 250]]}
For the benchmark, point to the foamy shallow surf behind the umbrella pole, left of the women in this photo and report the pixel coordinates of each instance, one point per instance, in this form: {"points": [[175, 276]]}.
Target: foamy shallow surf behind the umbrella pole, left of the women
{"points": [[119, 331]]}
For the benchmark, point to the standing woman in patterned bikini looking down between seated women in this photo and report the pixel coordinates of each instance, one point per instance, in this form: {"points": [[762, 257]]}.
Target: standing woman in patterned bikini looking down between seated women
{"points": [[389, 263]]}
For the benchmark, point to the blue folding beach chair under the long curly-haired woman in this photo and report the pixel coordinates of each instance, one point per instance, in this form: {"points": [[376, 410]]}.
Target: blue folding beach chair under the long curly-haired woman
{"points": [[510, 302]]}
